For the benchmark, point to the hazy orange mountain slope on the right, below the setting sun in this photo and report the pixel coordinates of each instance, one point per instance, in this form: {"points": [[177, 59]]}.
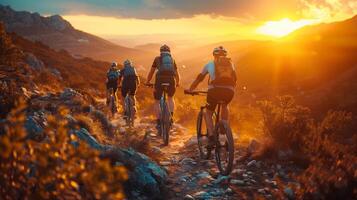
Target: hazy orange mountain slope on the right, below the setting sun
{"points": [[316, 63]]}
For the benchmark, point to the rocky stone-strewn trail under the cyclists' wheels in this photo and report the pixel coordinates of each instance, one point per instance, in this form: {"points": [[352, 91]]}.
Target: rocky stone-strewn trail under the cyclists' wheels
{"points": [[190, 177]]}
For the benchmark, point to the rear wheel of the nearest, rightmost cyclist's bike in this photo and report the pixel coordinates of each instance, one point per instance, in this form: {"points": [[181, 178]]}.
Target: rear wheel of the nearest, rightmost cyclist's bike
{"points": [[224, 151]]}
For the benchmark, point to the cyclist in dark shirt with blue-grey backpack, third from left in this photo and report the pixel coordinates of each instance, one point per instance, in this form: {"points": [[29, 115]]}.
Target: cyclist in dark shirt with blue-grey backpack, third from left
{"points": [[166, 73]]}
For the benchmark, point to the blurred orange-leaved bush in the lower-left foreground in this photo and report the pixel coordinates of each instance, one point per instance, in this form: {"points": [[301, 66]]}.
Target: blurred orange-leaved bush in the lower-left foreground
{"points": [[53, 168]]}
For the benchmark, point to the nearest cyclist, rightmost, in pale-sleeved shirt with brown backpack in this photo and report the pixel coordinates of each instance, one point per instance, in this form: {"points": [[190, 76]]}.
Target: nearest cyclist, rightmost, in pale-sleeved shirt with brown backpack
{"points": [[221, 85]]}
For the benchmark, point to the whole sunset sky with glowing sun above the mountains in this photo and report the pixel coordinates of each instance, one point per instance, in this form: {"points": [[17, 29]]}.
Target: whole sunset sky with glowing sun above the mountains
{"points": [[187, 19]]}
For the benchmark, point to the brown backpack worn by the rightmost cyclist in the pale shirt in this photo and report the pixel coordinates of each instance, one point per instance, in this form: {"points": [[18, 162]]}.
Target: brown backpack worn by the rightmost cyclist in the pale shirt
{"points": [[225, 74]]}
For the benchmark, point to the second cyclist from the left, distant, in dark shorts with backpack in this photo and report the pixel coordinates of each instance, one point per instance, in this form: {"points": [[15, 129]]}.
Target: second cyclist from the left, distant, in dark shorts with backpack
{"points": [[130, 81]]}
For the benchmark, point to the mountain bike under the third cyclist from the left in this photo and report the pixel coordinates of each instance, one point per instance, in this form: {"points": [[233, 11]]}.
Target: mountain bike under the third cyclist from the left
{"points": [[165, 115]]}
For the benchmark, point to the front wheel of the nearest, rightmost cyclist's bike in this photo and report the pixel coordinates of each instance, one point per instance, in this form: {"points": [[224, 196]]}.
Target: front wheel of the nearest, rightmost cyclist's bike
{"points": [[205, 151]]}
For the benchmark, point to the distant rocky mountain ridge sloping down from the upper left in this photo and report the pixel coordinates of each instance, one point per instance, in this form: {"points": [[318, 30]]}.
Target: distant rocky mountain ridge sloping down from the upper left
{"points": [[59, 34]]}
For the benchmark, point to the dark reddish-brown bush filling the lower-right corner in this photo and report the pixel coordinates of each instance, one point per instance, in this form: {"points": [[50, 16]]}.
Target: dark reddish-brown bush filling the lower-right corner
{"points": [[332, 170]]}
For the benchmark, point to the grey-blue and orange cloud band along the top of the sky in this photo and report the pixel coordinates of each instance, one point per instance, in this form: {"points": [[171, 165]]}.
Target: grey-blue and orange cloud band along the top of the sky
{"points": [[170, 9]]}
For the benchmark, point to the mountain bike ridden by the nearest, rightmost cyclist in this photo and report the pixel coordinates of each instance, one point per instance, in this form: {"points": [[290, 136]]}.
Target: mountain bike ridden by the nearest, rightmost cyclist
{"points": [[223, 138]]}
